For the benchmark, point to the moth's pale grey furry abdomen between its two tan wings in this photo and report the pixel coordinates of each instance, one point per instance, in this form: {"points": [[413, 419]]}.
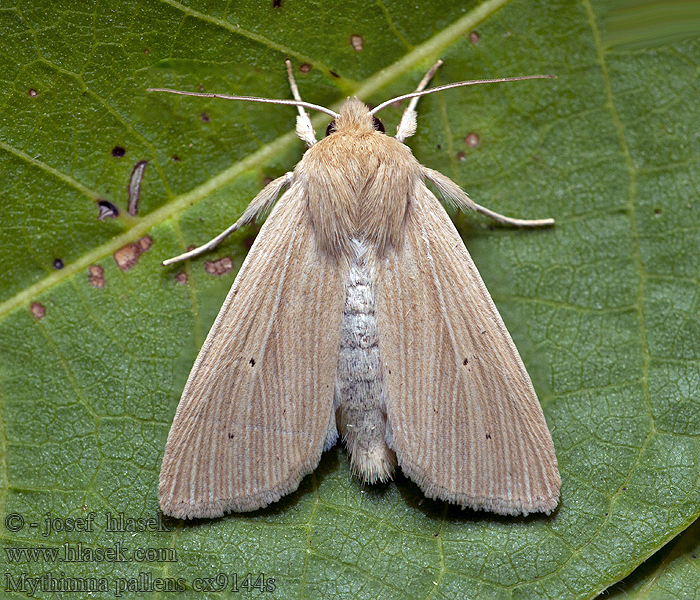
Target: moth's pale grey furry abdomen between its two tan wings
{"points": [[360, 393]]}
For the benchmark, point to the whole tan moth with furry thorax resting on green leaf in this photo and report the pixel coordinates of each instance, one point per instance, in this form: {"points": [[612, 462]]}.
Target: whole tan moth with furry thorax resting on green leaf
{"points": [[358, 313]]}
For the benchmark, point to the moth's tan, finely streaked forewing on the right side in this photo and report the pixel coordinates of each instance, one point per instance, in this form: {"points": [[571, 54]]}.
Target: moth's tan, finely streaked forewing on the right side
{"points": [[463, 416]]}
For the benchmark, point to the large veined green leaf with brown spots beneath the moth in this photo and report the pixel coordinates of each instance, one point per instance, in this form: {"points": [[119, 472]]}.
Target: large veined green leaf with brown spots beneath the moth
{"points": [[603, 307]]}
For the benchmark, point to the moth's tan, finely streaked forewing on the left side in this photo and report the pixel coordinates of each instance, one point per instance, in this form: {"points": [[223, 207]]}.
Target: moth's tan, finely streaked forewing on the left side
{"points": [[258, 405]]}
